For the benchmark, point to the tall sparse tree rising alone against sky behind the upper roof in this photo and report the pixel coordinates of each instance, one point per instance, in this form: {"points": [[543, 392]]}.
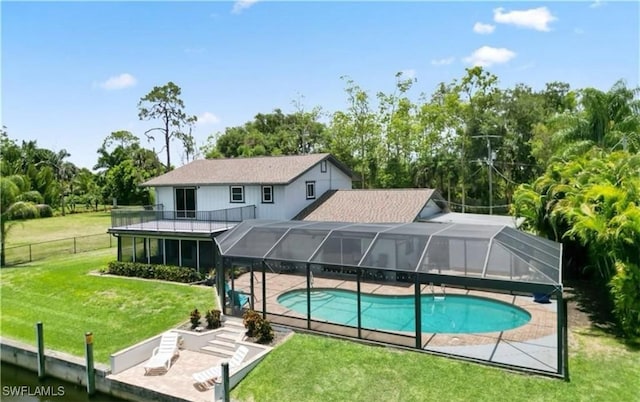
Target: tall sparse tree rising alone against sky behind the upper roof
{"points": [[164, 103]]}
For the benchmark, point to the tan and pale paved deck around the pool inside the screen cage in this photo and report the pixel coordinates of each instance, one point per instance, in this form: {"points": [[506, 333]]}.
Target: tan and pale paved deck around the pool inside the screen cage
{"points": [[532, 346]]}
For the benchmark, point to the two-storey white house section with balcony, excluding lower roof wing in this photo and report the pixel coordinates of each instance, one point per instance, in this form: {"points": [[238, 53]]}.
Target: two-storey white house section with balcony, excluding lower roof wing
{"points": [[204, 198]]}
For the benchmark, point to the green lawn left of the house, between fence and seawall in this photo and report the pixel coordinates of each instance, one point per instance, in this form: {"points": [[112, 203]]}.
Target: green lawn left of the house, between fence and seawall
{"points": [[69, 301]]}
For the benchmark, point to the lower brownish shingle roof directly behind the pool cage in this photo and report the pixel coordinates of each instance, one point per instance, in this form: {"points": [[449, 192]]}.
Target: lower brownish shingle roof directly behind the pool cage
{"points": [[369, 206]]}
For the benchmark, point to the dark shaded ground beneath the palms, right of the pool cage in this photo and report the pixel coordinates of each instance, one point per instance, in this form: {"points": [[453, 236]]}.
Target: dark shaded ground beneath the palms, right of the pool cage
{"points": [[590, 306]]}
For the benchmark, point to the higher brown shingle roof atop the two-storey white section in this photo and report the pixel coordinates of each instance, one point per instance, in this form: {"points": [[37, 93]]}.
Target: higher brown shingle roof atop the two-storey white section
{"points": [[260, 170]]}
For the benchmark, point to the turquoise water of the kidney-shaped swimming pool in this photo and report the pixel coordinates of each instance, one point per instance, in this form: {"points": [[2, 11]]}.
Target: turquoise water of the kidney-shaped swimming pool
{"points": [[454, 314]]}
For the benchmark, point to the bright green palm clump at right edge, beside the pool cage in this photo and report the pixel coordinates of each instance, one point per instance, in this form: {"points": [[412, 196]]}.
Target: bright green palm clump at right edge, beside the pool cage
{"points": [[594, 200]]}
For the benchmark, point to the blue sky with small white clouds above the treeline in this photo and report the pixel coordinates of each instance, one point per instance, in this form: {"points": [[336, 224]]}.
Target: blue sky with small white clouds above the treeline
{"points": [[74, 72]]}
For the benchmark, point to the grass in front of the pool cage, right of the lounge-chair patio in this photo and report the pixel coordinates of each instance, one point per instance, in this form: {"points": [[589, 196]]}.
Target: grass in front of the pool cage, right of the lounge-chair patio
{"points": [[315, 368]]}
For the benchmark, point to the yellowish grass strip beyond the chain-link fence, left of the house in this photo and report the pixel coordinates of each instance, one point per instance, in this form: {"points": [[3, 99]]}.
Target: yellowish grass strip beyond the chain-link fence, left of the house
{"points": [[58, 227]]}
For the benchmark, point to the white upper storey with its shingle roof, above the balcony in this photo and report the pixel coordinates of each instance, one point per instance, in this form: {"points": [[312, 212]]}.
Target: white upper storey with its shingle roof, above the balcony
{"points": [[279, 196]]}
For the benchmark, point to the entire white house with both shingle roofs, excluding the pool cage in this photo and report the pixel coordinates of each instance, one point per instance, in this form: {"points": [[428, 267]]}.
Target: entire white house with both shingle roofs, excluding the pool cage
{"points": [[205, 198]]}
